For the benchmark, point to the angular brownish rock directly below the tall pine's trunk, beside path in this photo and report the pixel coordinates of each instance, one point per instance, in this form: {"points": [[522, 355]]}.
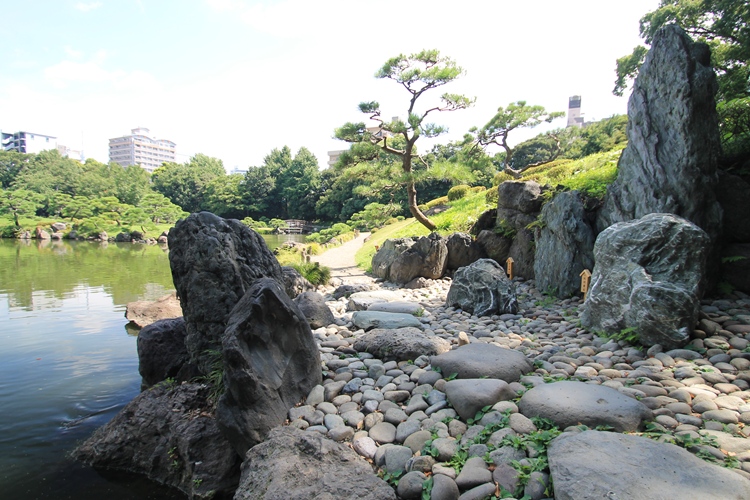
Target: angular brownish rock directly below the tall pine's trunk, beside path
{"points": [[427, 258]]}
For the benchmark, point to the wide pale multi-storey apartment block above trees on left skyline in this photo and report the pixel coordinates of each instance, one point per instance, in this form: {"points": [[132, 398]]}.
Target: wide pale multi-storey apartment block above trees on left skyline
{"points": [[140, 149]]}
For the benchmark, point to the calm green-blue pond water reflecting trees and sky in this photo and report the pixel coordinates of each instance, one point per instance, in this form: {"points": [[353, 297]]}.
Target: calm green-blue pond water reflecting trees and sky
{"points": [[67, 362]]}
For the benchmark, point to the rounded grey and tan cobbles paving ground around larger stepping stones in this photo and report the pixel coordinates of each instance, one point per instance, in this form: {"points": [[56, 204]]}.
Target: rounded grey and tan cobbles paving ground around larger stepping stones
{"points": [[398, 414]]}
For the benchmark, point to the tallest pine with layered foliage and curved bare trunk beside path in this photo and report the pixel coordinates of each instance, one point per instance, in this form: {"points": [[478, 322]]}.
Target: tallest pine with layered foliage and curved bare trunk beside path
{"points": [[417, 73]]}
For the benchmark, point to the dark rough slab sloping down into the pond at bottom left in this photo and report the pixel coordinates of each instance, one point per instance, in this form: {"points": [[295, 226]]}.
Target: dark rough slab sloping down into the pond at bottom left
{"points": [[165, 434]]}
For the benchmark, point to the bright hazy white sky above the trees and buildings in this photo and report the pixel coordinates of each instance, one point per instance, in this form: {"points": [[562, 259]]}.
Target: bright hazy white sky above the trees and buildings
{"points": [[235, 79]]}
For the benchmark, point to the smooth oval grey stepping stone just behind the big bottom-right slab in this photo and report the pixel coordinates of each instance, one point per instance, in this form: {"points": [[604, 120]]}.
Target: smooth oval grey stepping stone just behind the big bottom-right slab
{"points": [[569, 403]]}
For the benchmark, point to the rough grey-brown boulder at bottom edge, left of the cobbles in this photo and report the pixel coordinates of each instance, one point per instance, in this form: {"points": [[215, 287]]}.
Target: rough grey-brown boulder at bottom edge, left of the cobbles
{"points": [[297, 464]]}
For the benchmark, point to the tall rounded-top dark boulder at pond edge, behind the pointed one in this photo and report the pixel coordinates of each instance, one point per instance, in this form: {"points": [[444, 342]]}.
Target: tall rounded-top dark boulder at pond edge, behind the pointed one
{"points": [[214, 262]]}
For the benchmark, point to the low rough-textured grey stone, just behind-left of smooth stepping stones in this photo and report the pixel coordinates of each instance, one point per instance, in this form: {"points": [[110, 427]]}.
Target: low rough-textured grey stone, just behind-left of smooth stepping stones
{"points": [[400, 344]]}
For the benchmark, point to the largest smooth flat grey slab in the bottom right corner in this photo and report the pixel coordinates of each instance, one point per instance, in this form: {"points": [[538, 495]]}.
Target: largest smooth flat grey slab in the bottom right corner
{"points": [[599, 465]]}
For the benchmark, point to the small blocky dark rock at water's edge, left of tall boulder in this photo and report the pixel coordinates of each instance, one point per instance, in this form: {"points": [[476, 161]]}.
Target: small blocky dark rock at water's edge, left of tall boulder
{"points": [[161, 351]]}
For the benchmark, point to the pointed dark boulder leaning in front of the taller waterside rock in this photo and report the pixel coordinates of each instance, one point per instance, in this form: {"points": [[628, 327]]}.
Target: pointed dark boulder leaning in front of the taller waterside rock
{"points": [[270, 360]]}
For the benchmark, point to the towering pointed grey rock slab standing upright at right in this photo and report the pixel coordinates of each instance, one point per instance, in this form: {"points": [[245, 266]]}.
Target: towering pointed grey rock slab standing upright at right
{"points": [[670, 162]]}
